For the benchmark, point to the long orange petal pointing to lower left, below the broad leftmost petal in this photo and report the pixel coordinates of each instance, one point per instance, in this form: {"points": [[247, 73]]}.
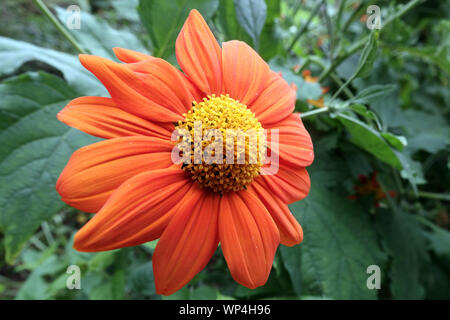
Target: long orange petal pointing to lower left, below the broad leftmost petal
{"points": [[137, 212]]}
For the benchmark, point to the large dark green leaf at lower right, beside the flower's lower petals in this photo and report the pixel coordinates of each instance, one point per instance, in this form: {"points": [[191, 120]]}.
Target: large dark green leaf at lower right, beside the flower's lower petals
{"points": [[339, 244]]}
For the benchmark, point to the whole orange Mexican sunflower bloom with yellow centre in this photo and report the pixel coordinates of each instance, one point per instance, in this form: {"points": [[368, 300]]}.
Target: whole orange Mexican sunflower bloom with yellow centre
{"points": [[139, 194]]}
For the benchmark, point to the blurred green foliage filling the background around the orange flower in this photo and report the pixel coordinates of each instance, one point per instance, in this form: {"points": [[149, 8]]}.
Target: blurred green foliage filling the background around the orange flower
{"points": [[386, 111]]}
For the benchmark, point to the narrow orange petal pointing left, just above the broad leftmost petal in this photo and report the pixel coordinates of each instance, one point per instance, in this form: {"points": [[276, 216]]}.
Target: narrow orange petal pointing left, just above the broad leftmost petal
{"points": [[101, 117]]}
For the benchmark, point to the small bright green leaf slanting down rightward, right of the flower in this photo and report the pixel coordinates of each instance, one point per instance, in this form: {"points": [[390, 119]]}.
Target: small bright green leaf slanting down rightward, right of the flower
{"points": [[370, 140]]}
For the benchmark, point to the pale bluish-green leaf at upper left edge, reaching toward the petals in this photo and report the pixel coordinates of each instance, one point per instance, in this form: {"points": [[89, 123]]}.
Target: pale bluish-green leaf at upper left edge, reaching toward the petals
{"points": [[14, 53]]}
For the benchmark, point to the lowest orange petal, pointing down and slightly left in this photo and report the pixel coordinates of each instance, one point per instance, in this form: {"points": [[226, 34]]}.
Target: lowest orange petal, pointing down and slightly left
{"points": [[187, 244]]}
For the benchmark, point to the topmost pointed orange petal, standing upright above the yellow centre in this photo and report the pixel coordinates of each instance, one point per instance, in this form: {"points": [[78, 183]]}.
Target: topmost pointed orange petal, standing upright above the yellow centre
{"points": [[199, 54]]}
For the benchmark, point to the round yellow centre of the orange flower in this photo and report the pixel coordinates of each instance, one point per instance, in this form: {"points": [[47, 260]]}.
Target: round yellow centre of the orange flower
{"points": [[225, 144]]}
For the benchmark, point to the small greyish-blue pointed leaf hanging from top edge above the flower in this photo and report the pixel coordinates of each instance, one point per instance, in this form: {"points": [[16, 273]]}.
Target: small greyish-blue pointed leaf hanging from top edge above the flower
{"points": [[251, 15]]}
